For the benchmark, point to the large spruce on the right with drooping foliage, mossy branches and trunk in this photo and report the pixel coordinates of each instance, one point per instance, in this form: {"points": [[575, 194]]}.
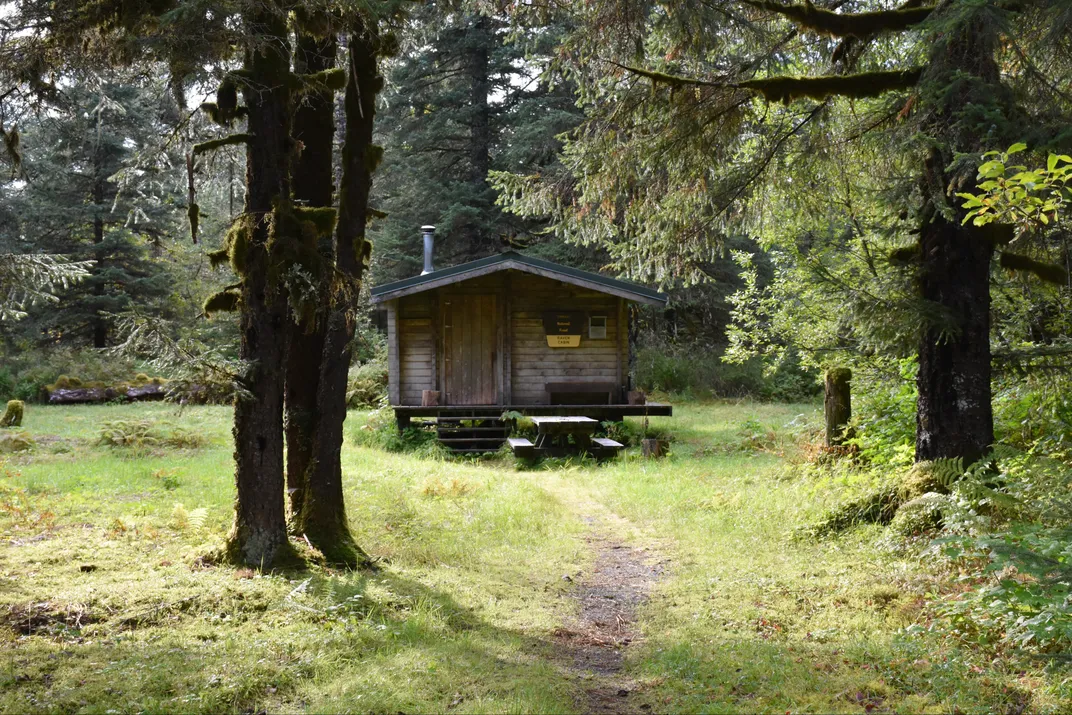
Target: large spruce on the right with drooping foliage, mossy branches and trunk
{"points": [[697, 111]]}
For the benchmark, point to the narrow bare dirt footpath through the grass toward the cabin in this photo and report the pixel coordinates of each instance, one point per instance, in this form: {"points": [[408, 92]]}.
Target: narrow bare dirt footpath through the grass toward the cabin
{"points": [[592, 644]]}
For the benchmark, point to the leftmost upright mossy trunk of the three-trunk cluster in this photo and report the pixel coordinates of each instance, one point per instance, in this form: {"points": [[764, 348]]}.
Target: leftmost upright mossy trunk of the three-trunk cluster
{"points": [[259, 538]]}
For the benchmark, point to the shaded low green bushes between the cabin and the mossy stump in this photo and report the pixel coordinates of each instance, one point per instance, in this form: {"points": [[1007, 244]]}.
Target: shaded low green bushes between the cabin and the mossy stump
{"points": [[698, 371]]}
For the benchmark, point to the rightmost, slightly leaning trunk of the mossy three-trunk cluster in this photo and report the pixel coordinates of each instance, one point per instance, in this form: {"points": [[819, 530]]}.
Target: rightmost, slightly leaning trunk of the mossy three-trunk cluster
{"points": [[323, 518]]}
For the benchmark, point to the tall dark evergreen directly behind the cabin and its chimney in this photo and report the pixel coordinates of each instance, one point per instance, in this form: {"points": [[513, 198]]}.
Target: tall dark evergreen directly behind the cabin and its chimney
{"points": [[464, 100]]}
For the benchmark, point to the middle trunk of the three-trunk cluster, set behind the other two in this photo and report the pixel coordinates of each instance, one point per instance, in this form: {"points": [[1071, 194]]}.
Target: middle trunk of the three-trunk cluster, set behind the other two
{"points": [[312, 177]]}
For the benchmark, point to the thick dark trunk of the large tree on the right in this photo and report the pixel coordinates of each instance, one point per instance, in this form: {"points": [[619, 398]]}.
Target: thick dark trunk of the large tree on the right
{"points": [[955, 419]]}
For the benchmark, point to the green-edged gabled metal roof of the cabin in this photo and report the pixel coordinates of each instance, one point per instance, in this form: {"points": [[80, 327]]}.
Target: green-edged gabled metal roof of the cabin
{"points": [[514, 261]]}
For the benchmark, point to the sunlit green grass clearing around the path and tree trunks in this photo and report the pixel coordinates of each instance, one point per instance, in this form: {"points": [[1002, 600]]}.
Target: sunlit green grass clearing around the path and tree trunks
{"points": [[106, 604]]}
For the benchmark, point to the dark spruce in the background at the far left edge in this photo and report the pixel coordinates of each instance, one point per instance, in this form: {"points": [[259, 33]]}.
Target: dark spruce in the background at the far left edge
{"points": [[78, 201]]}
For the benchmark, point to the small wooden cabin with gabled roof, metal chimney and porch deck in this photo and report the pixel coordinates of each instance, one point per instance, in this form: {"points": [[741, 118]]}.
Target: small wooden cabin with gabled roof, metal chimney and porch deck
{"points": [[512, 333]]}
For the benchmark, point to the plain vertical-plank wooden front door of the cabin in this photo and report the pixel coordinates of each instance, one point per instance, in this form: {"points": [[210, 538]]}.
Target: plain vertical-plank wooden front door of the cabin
{"points": [[470, 338]]}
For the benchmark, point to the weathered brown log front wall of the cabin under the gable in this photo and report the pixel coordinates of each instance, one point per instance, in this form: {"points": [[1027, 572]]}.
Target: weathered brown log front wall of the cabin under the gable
{"points": [[523, 362]]}
